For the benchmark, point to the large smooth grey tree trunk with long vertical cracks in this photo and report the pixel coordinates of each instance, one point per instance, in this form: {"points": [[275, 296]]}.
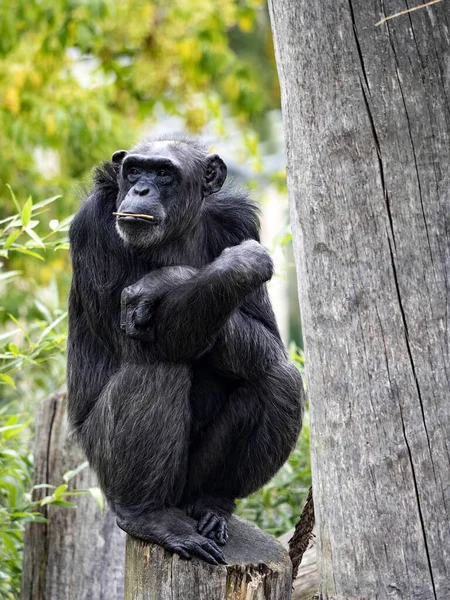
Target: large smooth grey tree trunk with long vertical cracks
{"points": [[366, 114]]}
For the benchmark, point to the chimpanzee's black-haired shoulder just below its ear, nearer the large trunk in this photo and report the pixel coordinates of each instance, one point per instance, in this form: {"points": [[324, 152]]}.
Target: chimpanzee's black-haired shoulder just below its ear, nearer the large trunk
{"points": [[231, 217]]}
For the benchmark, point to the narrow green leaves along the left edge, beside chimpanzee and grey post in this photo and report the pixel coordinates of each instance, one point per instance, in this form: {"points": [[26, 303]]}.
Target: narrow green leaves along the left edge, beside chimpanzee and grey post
{"points": [[31, 359]]}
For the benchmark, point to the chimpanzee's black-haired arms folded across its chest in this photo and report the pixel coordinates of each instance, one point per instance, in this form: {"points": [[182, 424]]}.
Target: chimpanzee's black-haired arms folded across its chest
{"points": [[187, 312]]}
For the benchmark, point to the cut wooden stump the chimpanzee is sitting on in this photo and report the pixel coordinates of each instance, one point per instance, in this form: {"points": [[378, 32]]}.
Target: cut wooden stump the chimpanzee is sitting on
{"points": [[258, 568]]}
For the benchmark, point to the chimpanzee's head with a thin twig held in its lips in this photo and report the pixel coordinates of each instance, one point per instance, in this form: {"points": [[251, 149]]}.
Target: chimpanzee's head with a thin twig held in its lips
{"points": [[162, 185]]}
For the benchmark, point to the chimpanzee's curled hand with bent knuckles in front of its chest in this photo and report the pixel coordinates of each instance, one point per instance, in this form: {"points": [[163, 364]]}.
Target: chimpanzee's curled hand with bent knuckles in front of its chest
{"points": [[139, 301]]}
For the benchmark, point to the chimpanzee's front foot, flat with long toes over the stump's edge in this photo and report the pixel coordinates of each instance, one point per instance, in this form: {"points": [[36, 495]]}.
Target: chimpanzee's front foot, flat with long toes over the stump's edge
{"points": [[172, 530]]}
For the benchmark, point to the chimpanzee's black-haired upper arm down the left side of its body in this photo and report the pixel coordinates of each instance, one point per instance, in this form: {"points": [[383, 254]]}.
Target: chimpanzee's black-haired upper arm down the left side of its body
{"points": [[94, 340]]}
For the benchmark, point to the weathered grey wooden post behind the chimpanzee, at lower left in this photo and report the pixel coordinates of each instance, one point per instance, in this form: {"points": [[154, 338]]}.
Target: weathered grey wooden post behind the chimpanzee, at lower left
{"points": [[79, 554]]}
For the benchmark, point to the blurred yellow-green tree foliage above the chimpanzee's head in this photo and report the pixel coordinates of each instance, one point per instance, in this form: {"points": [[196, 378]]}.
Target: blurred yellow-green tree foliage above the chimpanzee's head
{"points": [[80, 77]]}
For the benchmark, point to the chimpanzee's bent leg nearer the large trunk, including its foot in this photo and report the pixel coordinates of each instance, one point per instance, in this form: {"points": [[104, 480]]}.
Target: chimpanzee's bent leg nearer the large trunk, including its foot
{"points": [[244, 446]]}
